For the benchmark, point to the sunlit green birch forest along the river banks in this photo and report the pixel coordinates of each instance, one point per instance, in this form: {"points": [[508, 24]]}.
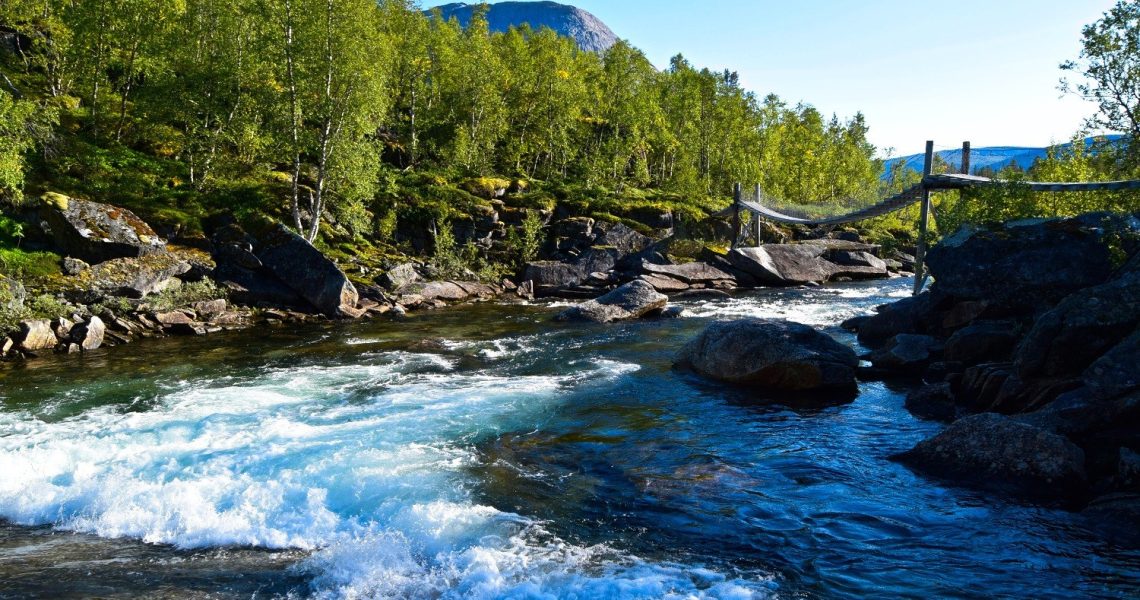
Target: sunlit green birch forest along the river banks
{"points": [[354, 121]]}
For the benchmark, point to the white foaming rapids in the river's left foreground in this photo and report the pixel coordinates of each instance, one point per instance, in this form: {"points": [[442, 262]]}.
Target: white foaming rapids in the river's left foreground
{"points": [[365, 466]]}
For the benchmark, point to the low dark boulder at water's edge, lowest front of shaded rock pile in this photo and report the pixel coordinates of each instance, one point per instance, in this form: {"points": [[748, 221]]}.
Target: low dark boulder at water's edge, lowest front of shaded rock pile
{"points": [[996, 451]]}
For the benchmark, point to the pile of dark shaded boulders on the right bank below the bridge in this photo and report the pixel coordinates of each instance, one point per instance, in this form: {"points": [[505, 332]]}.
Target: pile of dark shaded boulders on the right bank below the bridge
{"points": [[1029, 343]]}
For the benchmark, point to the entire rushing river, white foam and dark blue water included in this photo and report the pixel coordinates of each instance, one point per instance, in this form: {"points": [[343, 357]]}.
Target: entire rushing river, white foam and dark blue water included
{"points": [[486, 452]]}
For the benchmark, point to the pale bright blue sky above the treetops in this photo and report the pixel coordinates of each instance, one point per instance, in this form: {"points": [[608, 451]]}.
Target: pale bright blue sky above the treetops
{"points": [[980, 70]]}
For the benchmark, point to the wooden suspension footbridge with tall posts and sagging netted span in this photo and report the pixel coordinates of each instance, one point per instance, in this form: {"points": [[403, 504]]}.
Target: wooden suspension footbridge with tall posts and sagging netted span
{"points": [[763, 208]]}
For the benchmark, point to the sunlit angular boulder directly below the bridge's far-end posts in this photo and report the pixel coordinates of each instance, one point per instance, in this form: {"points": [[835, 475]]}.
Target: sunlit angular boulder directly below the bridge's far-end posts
{"points": [[784, 264]]}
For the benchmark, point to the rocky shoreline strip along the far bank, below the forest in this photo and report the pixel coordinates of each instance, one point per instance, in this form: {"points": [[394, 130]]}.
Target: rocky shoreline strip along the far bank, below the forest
{"points": [[116, 265]]}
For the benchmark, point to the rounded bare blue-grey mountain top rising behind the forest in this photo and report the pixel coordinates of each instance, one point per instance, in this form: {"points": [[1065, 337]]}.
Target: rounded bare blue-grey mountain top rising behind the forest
{"points": [[588, 30]]}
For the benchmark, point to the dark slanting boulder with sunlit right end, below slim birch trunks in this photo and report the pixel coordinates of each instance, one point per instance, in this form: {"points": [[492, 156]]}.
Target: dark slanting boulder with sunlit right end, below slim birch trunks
{"points": [[308, 272]]}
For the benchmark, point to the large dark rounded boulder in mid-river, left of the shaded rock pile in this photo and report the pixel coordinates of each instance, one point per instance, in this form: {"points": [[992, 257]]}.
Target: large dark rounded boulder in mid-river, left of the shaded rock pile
{"points": [[775, 355]]}
